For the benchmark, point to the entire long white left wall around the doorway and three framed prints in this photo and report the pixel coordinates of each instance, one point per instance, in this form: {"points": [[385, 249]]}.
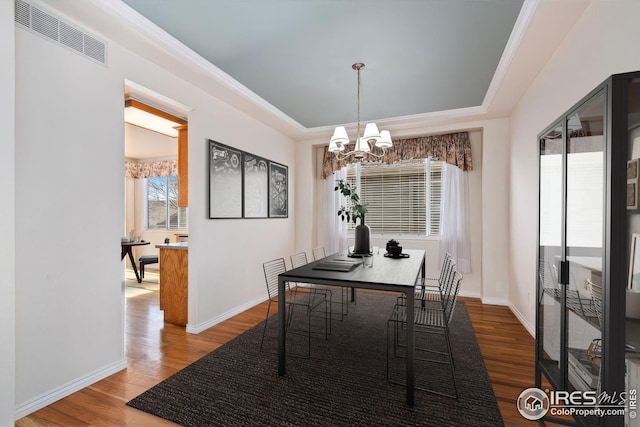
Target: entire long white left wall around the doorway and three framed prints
{"points": [[70, 188]]}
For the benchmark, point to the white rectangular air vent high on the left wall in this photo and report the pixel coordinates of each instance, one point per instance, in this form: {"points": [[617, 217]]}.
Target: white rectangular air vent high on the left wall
{"points": [[43, 23]]}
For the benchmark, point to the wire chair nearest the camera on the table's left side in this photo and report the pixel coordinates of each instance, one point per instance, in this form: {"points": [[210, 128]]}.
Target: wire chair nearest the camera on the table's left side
{"points": [[310, 302]]}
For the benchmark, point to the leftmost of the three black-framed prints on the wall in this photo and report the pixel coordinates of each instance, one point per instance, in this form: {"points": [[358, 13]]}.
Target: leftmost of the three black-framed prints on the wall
{"points": [[225, 181]]}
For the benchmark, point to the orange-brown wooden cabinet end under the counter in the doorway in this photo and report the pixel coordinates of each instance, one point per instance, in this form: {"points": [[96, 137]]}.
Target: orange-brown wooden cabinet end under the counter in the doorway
{"points": [[174, 283]]}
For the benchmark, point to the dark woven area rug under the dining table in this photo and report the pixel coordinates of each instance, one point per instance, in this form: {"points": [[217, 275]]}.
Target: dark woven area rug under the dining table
{"points": [[343, 384]]}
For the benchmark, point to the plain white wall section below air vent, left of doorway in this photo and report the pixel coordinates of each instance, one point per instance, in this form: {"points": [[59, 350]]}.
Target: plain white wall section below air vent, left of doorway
{"points": [[69, 213]]}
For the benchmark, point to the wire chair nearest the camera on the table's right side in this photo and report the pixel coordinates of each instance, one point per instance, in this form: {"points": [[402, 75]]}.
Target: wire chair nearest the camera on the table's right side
{"points": [[429, 319]]}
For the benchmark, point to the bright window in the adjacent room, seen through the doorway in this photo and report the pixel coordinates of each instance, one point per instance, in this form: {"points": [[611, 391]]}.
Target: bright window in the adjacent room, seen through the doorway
{"points": [[163, 212]]}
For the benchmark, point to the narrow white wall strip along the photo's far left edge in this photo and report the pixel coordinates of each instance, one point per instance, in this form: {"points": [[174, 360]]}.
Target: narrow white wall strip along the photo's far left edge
{"points": [[7, 214]]}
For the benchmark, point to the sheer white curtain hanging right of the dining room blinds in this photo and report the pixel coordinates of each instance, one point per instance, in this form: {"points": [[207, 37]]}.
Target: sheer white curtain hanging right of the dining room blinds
{"points": [[454, 218]]}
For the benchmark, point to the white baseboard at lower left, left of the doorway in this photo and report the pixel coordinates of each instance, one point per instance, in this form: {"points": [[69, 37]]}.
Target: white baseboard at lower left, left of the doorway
{"points": [[65, 390]]}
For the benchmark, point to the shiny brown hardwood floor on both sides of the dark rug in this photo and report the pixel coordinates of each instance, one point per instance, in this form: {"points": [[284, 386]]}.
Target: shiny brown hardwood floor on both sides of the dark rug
{"points": [[156, 350]]}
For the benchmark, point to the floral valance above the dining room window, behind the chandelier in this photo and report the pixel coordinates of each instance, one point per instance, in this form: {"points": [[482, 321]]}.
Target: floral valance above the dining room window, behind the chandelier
{"points": [[454, 148]]}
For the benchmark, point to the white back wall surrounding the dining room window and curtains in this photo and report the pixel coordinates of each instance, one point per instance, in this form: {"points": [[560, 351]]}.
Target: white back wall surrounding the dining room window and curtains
{"points": [[488, 222]]}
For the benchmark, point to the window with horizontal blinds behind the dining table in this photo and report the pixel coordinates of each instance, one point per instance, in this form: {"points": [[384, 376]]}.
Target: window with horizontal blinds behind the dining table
{"points": [[402, 198]]}
